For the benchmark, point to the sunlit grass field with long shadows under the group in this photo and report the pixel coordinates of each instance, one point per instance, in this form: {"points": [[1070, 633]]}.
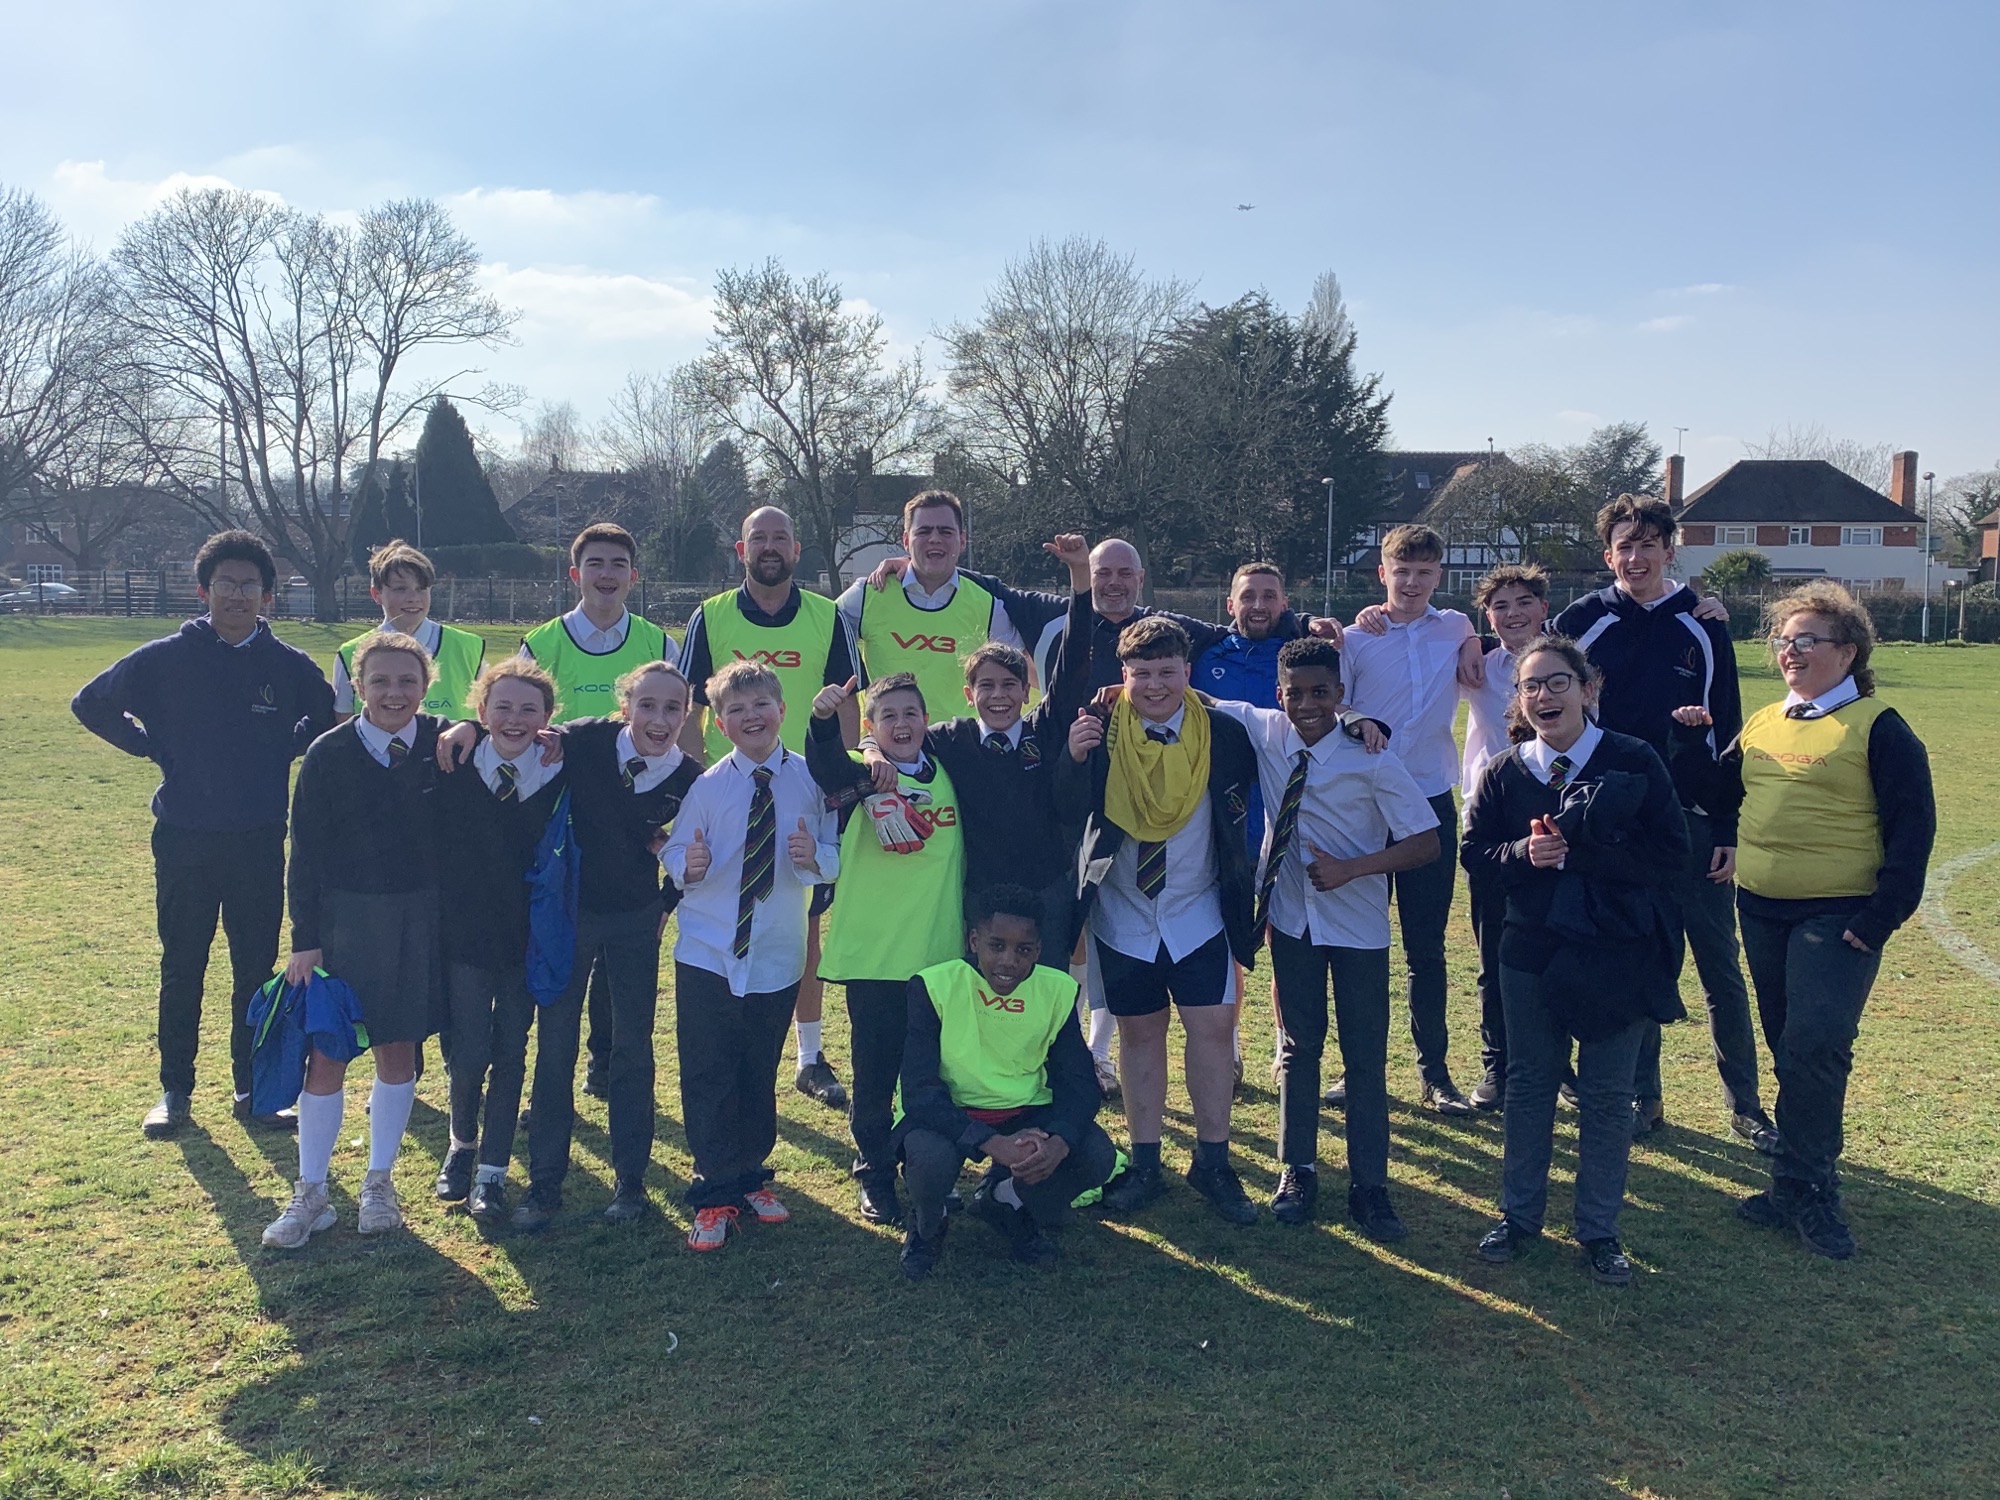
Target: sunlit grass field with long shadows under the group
{"points": [[151, 1347]]}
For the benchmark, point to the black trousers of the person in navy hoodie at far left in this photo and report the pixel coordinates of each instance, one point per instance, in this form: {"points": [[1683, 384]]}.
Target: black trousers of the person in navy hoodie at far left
{"points": [[197, 877]]}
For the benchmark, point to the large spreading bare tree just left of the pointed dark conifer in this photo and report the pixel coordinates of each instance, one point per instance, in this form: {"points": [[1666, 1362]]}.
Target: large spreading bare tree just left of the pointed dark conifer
{"points": [[295, 331]]}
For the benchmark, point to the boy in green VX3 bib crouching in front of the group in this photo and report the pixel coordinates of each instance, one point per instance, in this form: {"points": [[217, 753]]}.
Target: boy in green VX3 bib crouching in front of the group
{"points": [[995, 1065]]}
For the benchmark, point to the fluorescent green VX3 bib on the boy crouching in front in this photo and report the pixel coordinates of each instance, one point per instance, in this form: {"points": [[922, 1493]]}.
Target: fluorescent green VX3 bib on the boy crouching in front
{"points": [[993, 1049]]}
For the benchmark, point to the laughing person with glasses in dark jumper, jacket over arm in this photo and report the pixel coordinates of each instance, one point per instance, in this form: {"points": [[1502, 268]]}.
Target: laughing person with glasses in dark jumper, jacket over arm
{"points": [[1583, 831]]}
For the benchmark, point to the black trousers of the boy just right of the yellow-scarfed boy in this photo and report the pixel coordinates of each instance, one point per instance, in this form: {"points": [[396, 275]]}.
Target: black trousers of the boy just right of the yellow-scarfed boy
{"points": [[1361, 1011]]}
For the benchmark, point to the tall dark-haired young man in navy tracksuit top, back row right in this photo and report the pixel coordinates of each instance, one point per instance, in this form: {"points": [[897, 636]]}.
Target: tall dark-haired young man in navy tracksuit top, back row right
{"points": [[1657, 657]]}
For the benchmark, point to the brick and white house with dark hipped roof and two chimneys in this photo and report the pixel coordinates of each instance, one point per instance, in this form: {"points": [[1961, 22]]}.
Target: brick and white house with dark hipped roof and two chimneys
{"points": [[1811, 521]]}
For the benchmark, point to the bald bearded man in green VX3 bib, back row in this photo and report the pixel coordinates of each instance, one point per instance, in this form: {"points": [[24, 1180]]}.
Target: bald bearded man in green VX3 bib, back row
{"points": [[801, 637]]}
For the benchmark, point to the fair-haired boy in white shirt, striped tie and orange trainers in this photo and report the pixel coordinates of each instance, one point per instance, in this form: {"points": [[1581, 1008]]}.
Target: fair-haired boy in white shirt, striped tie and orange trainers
{"points": [[743, 945]]}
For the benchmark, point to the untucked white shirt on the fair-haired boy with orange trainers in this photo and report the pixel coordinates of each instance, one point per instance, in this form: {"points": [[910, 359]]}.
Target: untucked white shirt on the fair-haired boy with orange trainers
{"points": [[719, 807]]}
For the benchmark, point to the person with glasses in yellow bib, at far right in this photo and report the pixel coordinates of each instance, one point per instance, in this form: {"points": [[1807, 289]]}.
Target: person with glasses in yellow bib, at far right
{"points": [[1837, 829]]}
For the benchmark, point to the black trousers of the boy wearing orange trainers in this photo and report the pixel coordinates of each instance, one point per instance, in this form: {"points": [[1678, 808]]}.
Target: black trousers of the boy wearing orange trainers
{"points": [[731, 1049]]}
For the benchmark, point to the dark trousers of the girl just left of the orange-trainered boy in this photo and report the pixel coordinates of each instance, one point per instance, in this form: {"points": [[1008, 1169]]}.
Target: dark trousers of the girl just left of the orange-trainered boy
{"points": [[629, 945]]}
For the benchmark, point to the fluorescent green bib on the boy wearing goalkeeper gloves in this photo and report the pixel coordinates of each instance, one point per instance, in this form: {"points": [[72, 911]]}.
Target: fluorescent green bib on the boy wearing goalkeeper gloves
{"points": [[899, 913]]}
